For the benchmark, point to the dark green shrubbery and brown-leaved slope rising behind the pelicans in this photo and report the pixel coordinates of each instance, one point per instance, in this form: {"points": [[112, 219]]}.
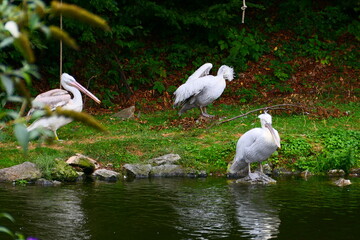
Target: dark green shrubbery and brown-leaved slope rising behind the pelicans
{"points": [[152, 40]]}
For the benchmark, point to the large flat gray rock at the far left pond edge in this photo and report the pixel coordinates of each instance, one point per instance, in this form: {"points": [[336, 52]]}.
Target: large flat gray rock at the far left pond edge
{"points": [[25, 171]]}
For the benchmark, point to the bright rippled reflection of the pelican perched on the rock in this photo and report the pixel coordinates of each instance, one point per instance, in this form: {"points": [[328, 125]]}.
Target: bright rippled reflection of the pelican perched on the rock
{"points": [[258, 218]]}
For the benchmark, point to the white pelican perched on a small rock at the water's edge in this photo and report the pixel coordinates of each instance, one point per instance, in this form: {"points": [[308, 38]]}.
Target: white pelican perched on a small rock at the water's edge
{"points": [[256, 145]]}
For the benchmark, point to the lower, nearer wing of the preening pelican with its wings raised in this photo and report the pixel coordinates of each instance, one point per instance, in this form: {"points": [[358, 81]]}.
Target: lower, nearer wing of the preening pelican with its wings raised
{"points": [[191, 89]]}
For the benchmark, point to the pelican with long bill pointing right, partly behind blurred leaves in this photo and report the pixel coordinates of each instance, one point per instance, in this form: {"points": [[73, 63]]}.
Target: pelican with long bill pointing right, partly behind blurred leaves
{"points": [[59, 98]]}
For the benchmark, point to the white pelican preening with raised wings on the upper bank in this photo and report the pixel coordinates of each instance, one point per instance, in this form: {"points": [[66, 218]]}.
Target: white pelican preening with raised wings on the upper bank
{"points": [[201, 89]]}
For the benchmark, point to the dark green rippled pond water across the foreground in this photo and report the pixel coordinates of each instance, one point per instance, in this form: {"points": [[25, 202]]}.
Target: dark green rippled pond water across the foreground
{"points": [[210, 208]]}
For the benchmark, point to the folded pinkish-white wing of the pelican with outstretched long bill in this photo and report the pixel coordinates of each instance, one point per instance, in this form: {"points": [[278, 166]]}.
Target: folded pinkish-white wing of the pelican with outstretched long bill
{"points": [[53, 99]]}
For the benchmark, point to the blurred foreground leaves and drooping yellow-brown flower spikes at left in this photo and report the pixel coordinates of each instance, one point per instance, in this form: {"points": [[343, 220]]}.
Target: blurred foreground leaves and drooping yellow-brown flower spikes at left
{"points": [[20, 26]]}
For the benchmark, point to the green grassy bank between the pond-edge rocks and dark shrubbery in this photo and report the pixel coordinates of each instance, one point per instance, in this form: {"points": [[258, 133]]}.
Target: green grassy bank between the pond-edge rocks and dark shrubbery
{"points": [[308, 142]]}
